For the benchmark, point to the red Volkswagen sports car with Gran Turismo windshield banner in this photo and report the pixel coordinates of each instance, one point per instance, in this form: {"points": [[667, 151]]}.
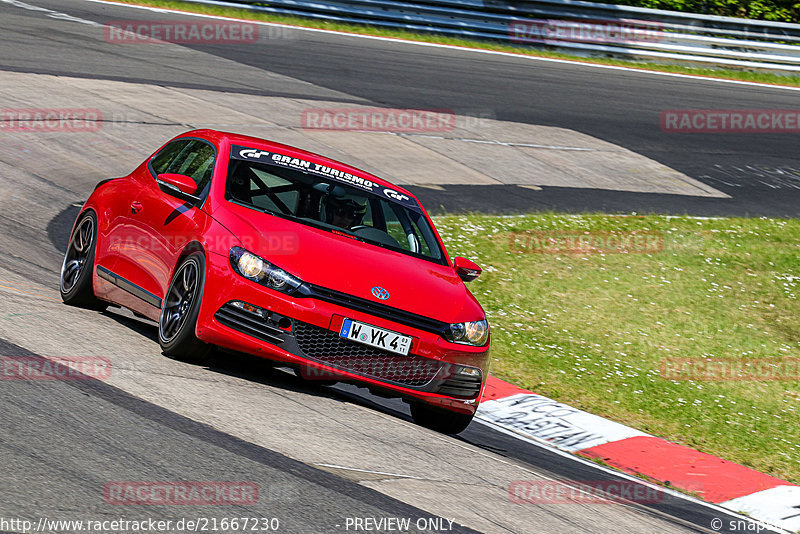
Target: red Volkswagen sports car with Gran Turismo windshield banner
{"points": [[263, 248]]}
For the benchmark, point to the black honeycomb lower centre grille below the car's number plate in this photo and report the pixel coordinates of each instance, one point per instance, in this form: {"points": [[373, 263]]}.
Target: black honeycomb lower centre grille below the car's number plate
{"points": [[327, 347]]}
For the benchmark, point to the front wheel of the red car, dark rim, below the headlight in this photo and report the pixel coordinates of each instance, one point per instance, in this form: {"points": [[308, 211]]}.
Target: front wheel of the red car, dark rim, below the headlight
{"points": [[179, 311]]}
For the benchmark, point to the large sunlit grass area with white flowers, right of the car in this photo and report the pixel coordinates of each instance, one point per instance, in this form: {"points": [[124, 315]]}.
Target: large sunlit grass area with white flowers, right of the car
{"points": [[592, 329]]}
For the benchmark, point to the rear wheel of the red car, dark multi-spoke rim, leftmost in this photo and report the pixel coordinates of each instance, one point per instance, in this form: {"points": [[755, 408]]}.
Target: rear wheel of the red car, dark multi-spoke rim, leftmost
{"points": [[75, 283]]}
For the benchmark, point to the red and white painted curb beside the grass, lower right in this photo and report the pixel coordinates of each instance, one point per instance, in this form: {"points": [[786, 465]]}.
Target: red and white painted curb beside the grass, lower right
{"points": [[732, 486]]}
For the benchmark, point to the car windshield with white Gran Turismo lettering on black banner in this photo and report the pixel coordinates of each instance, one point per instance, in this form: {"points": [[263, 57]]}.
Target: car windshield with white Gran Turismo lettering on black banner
{"points": [[330, 199]]}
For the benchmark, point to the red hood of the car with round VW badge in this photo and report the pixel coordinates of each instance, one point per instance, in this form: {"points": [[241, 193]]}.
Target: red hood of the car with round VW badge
{"points": [[343, 264]]}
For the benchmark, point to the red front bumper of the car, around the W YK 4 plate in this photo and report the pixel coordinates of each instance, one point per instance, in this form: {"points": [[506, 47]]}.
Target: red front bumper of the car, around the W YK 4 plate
{"points": [[303, 332]]}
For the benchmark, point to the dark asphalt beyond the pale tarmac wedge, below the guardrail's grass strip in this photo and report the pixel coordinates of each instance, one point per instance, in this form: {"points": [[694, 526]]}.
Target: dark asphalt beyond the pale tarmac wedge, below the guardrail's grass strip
{"points": [[761, 171]]}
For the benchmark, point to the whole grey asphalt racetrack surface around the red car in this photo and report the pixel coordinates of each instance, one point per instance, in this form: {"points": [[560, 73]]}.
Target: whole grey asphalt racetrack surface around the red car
{"points": [[325, 459]]}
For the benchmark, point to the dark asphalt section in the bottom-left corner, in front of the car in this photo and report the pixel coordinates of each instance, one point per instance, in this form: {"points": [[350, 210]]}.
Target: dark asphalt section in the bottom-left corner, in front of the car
{"points": [[107, 434]]}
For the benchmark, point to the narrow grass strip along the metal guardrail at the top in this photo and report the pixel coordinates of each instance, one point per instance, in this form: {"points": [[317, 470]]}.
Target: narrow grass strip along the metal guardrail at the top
{"points": [[742, 75]]}
